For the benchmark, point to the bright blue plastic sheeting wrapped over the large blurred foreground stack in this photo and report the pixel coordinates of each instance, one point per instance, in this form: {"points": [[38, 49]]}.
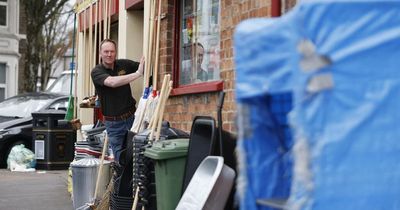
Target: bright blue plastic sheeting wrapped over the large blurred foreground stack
{"points": [[346, 138]]}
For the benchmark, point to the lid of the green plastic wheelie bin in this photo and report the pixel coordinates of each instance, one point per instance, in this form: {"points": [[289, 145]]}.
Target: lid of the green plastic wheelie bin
{"points": [[167, 149]]}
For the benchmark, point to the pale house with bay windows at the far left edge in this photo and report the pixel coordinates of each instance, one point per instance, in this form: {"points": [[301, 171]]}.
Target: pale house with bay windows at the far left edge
{"points": [[12, 46]]}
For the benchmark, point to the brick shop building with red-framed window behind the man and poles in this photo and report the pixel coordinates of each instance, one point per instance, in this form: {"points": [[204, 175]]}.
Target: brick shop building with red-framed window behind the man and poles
{"points": [[184, 22]]}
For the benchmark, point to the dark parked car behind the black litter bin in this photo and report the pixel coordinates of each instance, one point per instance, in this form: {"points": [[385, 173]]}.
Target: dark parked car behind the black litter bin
{"points": [[16, 118]]}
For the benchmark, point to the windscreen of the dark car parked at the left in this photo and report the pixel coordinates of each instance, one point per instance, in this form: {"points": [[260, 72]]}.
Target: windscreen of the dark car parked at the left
{"points": [[22, 106]]}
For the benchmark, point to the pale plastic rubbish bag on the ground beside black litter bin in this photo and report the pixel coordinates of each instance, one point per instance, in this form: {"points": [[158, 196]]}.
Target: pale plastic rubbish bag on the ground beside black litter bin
{"points": [[21, 159]]}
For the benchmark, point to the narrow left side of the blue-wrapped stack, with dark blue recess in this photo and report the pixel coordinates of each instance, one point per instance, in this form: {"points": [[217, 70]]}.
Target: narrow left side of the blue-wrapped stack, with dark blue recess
{"points": [[264, 135]]}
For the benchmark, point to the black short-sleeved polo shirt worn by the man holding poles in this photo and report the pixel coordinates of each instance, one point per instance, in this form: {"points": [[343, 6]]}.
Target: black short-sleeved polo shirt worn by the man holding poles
{"points": [[119, 100]]}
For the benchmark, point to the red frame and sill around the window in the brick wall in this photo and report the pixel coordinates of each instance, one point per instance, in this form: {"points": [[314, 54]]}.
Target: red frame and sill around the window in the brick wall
{"points": [[203, 87]]}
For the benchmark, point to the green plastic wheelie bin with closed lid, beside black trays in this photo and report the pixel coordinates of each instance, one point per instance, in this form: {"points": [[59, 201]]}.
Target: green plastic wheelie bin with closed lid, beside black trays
{"points": [[169, 164]]}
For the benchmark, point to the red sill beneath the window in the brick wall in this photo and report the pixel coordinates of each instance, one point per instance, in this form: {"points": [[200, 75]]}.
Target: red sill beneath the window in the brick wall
{"points": [[198, 88]]}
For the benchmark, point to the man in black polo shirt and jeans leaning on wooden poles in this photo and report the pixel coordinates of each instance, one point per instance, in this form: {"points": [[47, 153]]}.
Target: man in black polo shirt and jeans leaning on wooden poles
{"points": [[111, 79]]}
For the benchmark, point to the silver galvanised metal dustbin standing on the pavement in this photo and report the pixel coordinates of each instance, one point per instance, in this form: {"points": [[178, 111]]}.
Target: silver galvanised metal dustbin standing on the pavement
{"points": [[84, 176]]}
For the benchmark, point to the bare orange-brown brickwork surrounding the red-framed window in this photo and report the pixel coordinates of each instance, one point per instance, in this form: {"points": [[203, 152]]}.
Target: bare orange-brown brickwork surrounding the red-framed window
{"points": [[181, 110]]}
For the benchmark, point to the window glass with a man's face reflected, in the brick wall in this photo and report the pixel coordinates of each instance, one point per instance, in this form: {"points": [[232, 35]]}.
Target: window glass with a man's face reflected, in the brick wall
{"points": [[199, 41]]}
